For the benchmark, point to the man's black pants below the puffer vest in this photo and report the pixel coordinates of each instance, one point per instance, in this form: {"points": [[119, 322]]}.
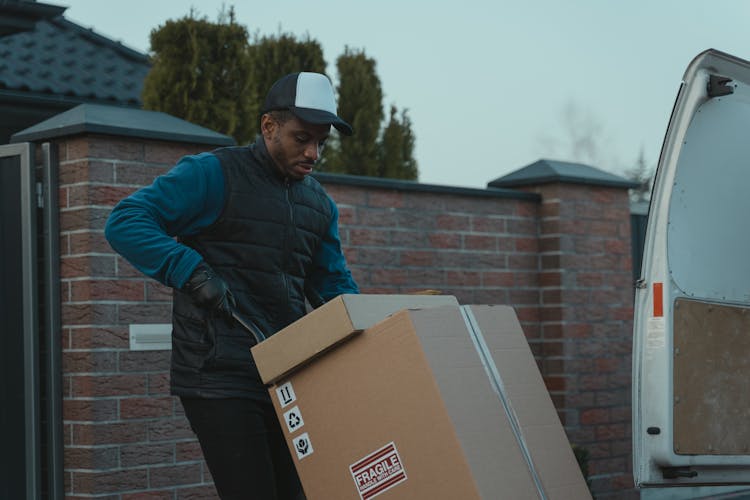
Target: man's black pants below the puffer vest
{"points": [[244, 448]]}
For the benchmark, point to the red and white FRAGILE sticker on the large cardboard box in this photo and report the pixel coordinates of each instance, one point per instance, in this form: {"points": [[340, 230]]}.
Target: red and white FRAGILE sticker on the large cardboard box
{"points": [[379, 471]]}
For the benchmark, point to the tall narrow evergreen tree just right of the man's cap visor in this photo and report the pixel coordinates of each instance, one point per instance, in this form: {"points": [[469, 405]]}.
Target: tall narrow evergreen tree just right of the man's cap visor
{"points": [[360, 104]]}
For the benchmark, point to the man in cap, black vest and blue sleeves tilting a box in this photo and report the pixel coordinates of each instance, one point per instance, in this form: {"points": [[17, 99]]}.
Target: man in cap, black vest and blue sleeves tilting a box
{"points": [[256, 237]]}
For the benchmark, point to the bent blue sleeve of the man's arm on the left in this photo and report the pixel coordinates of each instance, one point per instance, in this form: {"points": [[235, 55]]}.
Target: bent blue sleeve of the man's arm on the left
{"points": [[143, 226]]}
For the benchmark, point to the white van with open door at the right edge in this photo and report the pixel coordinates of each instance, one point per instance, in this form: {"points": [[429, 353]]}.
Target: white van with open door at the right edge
{"points": [[691, 350]]}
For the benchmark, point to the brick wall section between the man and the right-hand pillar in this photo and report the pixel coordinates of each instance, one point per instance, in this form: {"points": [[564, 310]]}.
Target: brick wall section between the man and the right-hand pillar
{"points": [[480, 247]]}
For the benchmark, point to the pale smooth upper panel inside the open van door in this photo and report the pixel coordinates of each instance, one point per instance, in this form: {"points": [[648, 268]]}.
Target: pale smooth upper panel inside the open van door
{"points": [[709, 211]]}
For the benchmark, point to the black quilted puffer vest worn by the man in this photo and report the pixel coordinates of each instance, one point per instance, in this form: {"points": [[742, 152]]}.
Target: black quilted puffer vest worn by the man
{"points": [[262, 245]]}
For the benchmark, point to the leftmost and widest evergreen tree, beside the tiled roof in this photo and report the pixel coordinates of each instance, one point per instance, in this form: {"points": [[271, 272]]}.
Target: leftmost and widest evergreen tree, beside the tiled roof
{"points": [[201, 73]]}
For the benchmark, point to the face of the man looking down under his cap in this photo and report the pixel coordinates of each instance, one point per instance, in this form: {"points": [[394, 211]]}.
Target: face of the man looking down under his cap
{"points": [[294, 145]]}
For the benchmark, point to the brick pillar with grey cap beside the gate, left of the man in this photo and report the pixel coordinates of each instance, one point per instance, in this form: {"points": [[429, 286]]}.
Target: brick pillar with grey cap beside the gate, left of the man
{"points": [[125, 437]]}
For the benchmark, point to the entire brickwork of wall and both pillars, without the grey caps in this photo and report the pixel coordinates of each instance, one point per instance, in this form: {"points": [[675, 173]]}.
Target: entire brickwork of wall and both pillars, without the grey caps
{"points": [[558, 253]]}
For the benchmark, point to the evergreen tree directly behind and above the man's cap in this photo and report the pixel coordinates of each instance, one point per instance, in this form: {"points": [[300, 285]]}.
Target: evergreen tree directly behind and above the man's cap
{"points": [[275, 56]]}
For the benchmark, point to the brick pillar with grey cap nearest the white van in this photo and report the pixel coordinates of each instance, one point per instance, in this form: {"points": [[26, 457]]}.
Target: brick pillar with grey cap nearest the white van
{"points": [[586, 310]]}
